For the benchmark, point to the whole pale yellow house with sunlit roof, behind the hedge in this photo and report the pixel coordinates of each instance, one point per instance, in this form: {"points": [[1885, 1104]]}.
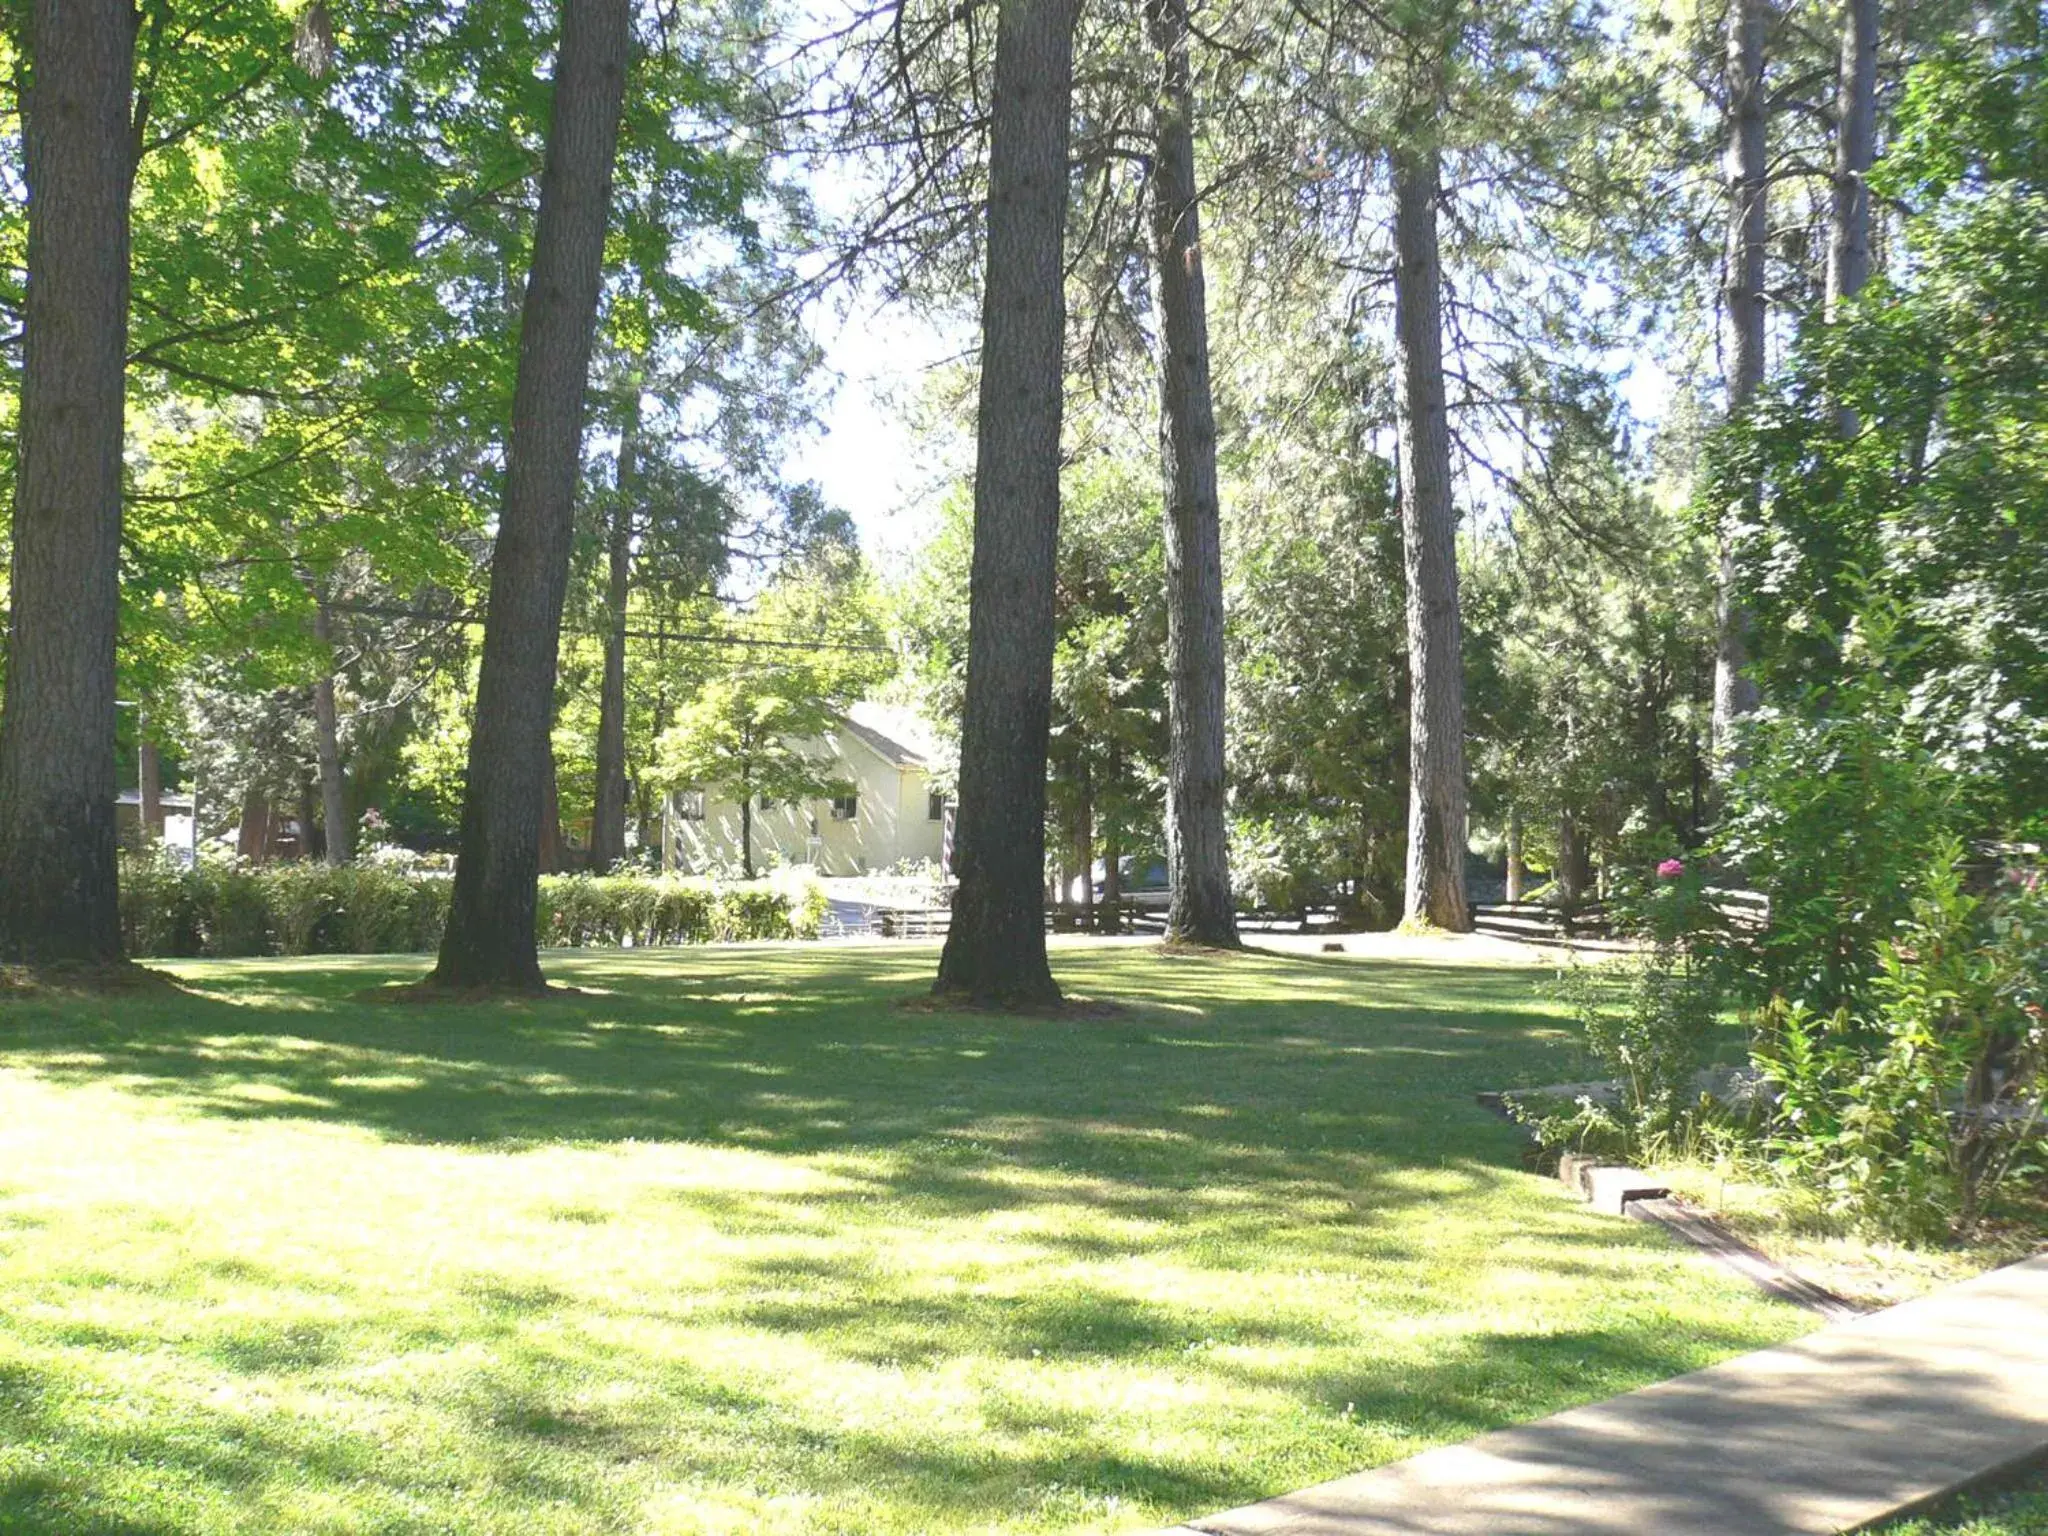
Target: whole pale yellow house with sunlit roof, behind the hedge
{"points": [[894, 814]]}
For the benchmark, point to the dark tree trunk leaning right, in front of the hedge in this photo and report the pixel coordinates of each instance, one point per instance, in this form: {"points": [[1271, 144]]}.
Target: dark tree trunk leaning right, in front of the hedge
{"points": [[490, 935]]}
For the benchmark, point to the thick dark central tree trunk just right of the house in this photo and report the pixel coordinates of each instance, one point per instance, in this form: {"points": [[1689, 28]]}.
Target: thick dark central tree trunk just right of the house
{"points": [[996, 943]]}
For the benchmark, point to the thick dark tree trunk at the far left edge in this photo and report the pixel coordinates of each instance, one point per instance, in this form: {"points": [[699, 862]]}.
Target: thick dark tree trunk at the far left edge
{"points": [[58, 871]]}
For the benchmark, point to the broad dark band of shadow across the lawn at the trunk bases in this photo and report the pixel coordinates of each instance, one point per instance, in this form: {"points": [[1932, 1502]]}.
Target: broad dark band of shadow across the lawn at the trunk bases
{"points": [[802, 1052]]}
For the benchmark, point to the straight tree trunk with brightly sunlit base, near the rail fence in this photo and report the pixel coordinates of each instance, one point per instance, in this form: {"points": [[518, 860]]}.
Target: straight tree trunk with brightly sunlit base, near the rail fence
{"points": [[1431, 546]]}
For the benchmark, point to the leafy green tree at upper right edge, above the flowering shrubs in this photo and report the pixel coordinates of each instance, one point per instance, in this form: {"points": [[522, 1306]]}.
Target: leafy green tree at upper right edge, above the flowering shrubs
{"points": [[1930, 525]]}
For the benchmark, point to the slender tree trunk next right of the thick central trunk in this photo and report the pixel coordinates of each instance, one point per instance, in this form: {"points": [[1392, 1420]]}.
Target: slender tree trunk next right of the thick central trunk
{"points": [[1197, 841]]}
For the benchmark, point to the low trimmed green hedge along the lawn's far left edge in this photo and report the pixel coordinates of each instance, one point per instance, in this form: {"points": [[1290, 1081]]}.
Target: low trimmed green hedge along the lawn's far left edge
{"points": [[230, 908]]}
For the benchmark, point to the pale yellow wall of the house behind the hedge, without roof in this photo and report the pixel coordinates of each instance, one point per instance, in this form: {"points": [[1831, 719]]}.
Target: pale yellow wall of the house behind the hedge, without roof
{"points": [[892, 822]]}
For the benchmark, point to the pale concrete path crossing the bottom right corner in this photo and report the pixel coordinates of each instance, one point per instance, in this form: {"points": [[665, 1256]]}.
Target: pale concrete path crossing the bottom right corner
{"points": [[1828, 1435]]}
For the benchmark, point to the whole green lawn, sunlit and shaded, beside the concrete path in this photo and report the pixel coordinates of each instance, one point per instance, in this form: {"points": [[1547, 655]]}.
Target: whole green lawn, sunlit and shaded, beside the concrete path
{"points": [[736, 1244]]}
